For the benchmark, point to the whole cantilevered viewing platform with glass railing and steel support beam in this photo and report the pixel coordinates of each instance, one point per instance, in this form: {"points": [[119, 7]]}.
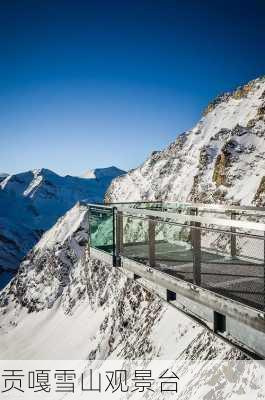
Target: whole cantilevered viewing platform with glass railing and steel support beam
{"points": [[209, 260]]}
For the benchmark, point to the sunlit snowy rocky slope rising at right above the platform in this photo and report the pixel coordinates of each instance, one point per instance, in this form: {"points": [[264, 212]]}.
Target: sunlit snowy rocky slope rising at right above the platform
{"points": [[222, 159]]}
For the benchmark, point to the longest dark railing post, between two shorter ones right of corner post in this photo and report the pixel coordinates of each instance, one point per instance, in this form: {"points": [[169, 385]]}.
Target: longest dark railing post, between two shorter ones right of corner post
{"points": [[196, 243]]}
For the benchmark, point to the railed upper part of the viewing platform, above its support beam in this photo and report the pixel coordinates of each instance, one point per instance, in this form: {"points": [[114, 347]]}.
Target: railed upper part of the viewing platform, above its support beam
{"points": [[222, 251]]}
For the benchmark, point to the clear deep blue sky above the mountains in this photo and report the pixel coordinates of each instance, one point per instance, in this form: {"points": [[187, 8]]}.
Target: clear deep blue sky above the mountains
{"points": [[91, 84]]}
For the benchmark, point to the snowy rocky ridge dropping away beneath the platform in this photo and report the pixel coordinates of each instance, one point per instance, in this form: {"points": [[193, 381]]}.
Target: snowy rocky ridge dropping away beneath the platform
{"points": [[64, 305]]}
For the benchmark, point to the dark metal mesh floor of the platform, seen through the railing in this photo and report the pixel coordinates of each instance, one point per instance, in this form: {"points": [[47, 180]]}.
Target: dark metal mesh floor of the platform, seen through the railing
{"points": [[237, 279]]}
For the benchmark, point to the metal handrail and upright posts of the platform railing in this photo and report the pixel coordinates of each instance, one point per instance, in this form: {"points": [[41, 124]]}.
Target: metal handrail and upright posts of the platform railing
{"points": [[196, 224]]}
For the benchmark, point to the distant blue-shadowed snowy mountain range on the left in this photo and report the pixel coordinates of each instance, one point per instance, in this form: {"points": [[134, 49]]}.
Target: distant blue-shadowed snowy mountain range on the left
{"points": [[32, 201]]}
